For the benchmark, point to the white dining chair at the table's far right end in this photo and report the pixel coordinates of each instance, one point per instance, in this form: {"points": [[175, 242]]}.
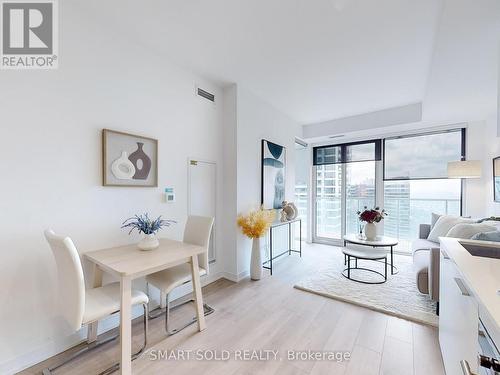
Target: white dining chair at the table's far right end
{"points": [[197, 232]]}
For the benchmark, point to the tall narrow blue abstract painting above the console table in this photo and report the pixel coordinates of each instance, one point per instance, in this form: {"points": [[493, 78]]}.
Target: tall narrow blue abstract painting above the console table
{"points": [[273, 175]]}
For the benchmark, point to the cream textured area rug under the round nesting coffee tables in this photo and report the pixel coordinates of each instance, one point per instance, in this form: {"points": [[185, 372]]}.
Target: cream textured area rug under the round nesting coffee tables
{"points": [[398, 296]]}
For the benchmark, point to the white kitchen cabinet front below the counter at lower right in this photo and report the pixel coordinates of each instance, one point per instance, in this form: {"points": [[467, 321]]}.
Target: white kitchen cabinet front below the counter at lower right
{"points": [[458, 318]]}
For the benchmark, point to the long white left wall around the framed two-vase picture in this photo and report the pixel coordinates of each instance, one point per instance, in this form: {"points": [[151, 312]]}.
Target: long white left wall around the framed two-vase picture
{"points": [[51, 165]]}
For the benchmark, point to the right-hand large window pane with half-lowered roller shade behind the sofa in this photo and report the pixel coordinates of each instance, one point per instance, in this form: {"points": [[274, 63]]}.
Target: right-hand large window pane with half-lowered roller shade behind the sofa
{"points": [[416, 183]]}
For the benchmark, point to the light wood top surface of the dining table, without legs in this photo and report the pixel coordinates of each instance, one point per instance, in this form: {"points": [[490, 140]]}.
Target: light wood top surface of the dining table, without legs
{"points": [[130, 261]]}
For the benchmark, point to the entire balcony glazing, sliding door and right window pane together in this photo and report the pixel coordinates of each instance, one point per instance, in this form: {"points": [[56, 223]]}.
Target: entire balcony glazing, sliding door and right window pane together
{"points": [[413, 176]]}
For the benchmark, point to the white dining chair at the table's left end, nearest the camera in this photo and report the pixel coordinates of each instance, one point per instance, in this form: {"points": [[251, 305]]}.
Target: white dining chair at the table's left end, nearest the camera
{"points": [[80, 307]]}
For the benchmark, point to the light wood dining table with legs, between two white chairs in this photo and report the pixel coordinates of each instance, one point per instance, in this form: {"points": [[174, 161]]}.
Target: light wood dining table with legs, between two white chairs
{"points": [[129, 263]]}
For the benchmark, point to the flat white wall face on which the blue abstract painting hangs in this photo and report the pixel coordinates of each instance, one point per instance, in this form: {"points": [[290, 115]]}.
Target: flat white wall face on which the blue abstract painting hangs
{"points": [[257, 120]]}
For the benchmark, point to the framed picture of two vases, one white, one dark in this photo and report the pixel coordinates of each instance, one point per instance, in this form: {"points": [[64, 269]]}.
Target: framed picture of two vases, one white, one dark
{"points": [[129, 160]]}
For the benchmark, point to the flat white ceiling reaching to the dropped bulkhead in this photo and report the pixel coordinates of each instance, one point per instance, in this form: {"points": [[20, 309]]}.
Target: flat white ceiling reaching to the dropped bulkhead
{"points": [[315, 60]]}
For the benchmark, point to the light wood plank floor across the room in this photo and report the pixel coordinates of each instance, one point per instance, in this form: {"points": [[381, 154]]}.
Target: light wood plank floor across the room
{"points": [[271, 315]]}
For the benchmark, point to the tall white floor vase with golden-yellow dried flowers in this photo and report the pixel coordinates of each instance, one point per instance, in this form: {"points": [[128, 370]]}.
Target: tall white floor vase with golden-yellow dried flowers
{"points": [[254, 225]]}
